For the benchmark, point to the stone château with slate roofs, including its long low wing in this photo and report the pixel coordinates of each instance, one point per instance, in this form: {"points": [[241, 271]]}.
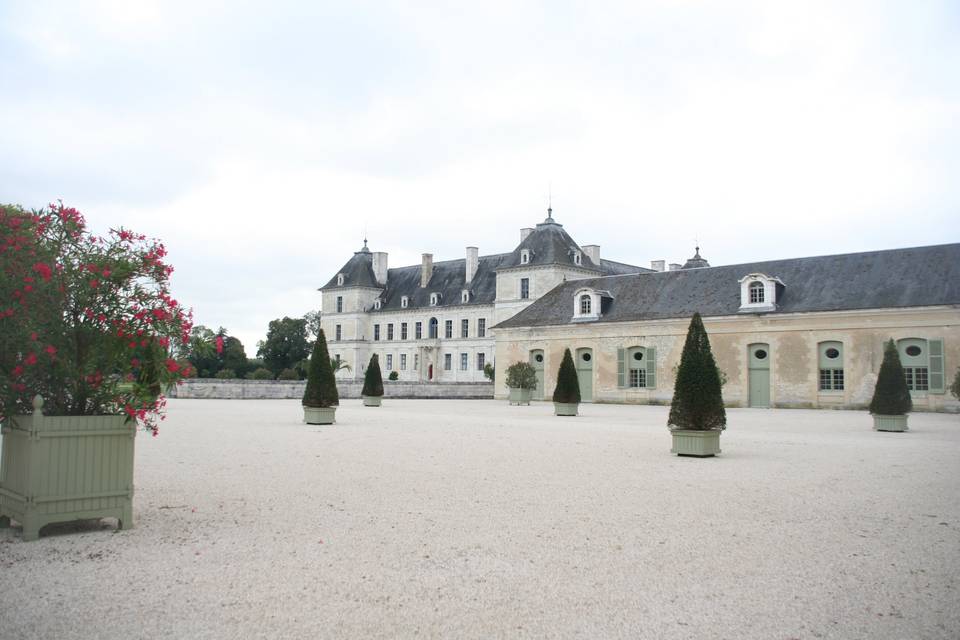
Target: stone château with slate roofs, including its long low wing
{"points": [[800, 332]]}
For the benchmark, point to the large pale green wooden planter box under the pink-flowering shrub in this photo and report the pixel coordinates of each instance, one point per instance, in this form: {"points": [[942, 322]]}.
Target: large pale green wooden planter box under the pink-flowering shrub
{"points": [[64, 468]]}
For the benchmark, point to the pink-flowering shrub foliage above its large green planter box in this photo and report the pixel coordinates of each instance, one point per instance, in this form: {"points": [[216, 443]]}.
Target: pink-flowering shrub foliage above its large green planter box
{"points": [[87, 322]]}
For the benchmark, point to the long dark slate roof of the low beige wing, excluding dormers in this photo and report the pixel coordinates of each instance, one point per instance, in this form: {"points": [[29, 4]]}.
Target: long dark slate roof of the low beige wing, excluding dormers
{"points": [[914, 277]]}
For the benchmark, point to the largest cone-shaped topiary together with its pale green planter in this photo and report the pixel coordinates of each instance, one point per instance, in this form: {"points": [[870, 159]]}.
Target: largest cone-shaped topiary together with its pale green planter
{"points": [[697, 415]]}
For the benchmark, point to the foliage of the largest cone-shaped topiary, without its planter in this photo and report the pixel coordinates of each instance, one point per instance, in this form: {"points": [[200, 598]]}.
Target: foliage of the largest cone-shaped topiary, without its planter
{"points": [[697, 396]]}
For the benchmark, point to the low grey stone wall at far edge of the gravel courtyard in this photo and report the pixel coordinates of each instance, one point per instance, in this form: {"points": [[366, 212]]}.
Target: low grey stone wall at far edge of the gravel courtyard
{"points": [[281, 389]]}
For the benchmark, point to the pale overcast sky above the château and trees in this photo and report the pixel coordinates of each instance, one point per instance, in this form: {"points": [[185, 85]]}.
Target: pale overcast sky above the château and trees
{"points": [[261, 141]]}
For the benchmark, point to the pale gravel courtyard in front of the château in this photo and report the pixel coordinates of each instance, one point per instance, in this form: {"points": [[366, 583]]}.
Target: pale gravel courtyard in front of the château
{"points": [[478, 519]]}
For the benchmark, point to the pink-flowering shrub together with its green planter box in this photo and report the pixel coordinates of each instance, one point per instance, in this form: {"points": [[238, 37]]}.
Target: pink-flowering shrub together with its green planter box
{"points": [[86, 328]]}
